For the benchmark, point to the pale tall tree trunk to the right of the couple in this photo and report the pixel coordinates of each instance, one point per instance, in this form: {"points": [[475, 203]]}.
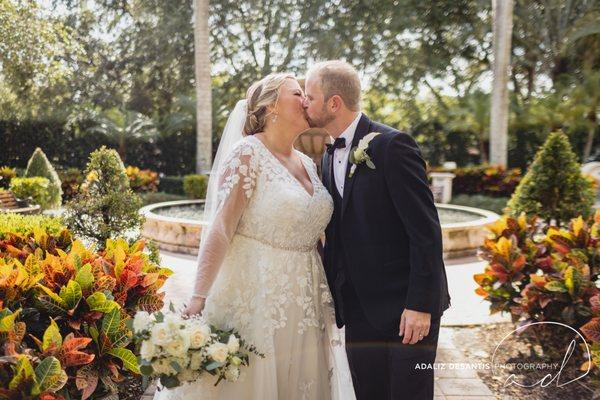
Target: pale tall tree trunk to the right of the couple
{"points": [[503, 11]]}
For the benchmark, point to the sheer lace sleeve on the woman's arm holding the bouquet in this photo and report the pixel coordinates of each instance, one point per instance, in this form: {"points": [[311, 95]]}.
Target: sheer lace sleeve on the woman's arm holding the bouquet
{"points": [[237, 180]]}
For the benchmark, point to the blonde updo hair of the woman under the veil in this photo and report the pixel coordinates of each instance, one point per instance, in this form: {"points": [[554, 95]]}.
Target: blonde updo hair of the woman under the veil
{"points": [[259, 97]]}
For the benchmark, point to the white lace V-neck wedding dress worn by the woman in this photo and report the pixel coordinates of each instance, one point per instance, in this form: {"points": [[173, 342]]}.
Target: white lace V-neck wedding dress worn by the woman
{"points": [[270, 284]]}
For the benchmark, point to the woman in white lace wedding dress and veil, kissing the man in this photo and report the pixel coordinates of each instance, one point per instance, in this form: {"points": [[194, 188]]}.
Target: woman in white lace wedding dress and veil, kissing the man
{"points": [[259, 270]]}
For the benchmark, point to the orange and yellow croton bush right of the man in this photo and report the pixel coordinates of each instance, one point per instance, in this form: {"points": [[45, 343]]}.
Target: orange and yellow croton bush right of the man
{"points": [[541, 273]]}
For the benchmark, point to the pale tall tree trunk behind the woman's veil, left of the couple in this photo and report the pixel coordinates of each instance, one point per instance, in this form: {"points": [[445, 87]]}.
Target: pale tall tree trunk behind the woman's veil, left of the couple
{"points": [[203, 88]]}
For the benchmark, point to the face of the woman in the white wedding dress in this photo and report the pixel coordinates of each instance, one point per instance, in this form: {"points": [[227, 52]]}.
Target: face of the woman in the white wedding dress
{"points": [[289, 108]]}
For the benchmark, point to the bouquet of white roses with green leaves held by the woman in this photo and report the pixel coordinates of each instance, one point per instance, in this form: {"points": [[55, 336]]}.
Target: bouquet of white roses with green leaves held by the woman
{"points": [[177, 350]]}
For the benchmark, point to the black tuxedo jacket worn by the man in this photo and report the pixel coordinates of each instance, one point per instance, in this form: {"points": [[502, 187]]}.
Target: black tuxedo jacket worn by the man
{"points": [[391, 235]]}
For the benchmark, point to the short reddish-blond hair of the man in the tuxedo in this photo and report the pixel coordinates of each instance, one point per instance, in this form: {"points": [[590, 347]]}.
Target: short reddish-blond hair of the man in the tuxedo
{"points": [[337, 77]]}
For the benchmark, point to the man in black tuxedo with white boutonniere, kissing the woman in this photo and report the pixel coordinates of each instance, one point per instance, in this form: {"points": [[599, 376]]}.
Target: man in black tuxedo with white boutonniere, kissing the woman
{"points": [[383, 250]]}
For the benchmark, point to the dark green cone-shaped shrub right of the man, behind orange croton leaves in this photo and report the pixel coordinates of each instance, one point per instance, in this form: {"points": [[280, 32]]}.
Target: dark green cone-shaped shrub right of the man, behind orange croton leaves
{"points": [[554, 188]]}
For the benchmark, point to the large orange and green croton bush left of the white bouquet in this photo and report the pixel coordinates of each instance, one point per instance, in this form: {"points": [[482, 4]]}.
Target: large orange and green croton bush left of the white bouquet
{"points": [[64, 309]]}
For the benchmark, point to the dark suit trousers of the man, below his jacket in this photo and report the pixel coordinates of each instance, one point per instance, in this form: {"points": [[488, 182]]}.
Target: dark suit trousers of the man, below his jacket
{"points": [[382, 367]]}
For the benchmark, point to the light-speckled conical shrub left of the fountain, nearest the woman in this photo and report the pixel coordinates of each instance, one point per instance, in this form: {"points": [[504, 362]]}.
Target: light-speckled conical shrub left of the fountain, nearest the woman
{"points": [[105, 206]]}
